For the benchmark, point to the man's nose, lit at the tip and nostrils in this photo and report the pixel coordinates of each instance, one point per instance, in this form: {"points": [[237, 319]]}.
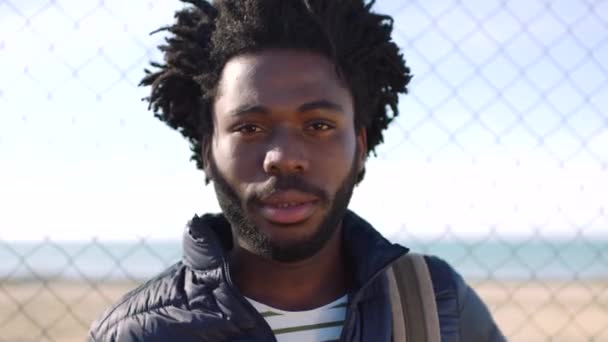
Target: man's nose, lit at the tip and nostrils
{"points": [[285, 156]]}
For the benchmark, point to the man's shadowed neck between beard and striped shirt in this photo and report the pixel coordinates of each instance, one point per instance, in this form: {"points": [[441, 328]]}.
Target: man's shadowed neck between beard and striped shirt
{"points": [[302, 285]]}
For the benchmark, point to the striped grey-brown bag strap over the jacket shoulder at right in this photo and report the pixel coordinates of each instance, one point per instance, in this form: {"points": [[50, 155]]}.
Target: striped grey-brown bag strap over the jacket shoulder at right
{"points": [[413, 305]]}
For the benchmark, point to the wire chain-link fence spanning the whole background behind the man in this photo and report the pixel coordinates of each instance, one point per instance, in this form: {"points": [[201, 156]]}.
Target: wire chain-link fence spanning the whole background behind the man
{"points": [[500, 160]]}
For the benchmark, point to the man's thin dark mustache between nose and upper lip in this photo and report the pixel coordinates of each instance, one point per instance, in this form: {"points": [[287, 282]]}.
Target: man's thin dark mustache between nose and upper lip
{"points": [[285, 183]]}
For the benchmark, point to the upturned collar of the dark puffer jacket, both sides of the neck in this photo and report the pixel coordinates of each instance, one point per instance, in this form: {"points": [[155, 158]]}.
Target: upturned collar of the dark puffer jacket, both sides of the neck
{"points": [[208, 238]]}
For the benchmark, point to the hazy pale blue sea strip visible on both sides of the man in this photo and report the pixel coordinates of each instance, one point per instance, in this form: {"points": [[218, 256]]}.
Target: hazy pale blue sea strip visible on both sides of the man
{"points": [[138, 260]]}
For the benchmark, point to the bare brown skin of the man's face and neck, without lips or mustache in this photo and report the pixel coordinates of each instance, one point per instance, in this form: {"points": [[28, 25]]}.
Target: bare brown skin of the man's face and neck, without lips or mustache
{"points": [[280, 112]]}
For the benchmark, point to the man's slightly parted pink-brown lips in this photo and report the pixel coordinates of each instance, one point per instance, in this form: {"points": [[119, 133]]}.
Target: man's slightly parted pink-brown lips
{"points": [[301, 207]]}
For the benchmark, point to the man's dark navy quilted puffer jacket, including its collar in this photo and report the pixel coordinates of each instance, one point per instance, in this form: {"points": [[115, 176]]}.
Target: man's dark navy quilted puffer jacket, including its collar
{"points": [[195, 299]]}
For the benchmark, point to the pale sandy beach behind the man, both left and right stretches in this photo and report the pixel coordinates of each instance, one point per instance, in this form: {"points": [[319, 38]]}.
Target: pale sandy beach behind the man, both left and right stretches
{"points": [[526, 311]]}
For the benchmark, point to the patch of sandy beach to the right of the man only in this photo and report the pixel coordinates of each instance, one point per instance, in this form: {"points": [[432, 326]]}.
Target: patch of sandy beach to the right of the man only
{"points": [[549, 310]]}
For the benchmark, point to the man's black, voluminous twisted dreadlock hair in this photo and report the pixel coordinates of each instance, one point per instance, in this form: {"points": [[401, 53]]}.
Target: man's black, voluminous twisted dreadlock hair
{"points": [[206, 35]]}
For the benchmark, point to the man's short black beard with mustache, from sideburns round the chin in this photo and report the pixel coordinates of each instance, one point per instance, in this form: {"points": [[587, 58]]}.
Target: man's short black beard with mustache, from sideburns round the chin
{"points": [[234, 209]]}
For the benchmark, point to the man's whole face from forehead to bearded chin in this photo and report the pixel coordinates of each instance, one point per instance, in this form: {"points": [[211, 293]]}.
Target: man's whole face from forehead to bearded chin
{"points": [[284, 155]]}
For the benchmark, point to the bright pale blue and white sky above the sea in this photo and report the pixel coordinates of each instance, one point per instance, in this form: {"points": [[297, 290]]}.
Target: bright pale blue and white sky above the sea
{"points": [[504, 131]]}
